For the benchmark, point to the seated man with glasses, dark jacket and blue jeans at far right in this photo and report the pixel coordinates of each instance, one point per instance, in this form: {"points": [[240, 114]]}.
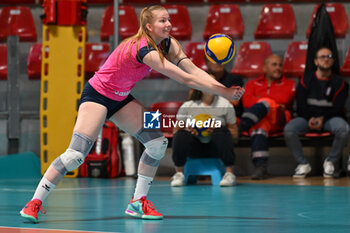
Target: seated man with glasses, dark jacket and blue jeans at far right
{"points": [[320, 99]]}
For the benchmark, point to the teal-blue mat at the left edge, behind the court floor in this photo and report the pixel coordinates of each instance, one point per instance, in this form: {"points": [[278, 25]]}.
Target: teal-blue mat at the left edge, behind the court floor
{"points": [[23, 165]]}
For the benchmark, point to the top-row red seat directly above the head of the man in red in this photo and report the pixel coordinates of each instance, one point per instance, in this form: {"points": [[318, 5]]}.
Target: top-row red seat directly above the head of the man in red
{"points": [[276, 21]]}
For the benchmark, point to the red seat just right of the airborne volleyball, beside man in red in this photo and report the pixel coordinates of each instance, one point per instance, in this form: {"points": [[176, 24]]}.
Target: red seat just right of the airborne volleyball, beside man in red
{"points": [[250, 58]]}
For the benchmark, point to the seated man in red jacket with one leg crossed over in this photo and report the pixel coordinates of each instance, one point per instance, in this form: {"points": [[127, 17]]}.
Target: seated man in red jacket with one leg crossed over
{"points": [[268, 101]]}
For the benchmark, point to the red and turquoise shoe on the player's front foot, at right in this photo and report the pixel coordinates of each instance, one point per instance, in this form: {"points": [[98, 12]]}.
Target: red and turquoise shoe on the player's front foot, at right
{"points": [[142, 208]]}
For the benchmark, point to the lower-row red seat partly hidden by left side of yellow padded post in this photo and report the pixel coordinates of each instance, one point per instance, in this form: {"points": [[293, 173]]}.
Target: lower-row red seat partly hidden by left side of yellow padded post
{"points": [[34, 62]]}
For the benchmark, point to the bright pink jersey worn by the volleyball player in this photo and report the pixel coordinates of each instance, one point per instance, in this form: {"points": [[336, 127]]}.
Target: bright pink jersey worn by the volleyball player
{"points": [[115, 80]]}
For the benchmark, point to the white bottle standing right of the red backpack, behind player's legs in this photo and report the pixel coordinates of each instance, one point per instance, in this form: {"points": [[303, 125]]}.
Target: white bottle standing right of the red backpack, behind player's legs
{"points": [[128, 155]]}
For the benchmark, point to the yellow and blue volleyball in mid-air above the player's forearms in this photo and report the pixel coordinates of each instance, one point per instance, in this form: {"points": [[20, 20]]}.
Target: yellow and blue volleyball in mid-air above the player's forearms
{"points": [[219, 49]]}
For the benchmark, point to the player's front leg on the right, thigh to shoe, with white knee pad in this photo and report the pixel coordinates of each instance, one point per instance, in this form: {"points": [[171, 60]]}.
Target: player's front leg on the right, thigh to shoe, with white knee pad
{"points": [[129, 119]]}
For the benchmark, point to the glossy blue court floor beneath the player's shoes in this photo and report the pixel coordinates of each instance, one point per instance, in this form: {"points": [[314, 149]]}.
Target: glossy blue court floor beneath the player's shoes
{"points": [[97, 205]]}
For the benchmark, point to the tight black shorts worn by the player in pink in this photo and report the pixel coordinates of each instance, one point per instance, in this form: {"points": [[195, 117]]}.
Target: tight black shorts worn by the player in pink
{"points": [[91, 95]]}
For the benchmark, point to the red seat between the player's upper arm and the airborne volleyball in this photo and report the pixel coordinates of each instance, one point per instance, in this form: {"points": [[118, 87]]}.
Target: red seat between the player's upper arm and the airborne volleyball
{"points": [[195, 51]]}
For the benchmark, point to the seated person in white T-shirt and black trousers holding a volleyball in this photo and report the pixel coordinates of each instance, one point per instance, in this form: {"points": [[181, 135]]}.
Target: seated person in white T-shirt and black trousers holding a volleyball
{"points": [[219, 143]]}
